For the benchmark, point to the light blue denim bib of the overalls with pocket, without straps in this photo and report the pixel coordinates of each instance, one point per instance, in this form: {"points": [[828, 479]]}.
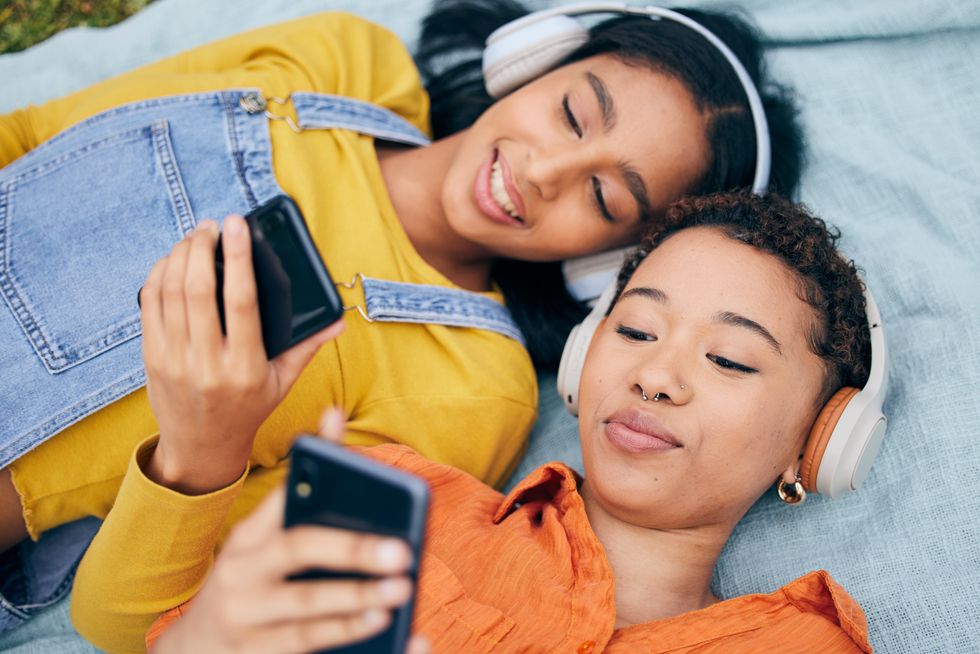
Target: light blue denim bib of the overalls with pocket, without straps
{"points": [[83, 217]]}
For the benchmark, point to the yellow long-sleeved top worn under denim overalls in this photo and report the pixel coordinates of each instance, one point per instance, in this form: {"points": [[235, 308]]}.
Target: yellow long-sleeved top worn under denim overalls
{"points": [[459, 396]]}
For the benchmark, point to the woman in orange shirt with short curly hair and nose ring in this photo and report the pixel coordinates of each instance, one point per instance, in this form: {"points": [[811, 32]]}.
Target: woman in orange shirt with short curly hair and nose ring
{"points": [[732, 328]]}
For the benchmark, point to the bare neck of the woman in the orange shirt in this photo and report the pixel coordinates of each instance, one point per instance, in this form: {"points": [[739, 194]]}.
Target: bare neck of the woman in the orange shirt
{"points": [[658, 573]]}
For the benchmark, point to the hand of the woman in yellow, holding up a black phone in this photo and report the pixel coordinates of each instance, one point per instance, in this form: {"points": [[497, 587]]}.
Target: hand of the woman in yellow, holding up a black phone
{"points": [[210, 391]]}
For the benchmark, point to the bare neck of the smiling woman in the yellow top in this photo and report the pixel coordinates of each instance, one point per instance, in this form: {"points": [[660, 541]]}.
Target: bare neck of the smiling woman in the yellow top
{"points": [[414, 180]]}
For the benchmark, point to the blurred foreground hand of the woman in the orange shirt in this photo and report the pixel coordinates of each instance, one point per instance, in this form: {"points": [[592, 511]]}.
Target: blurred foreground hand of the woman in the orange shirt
{"points": [[246, 605]]}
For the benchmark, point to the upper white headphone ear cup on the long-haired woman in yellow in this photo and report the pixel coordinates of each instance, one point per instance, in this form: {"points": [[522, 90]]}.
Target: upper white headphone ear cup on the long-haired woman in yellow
{"points": [[515, 56]]}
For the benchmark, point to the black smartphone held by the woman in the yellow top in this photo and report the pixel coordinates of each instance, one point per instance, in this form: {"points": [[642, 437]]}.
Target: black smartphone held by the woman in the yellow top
{"points": [[297, 296]]}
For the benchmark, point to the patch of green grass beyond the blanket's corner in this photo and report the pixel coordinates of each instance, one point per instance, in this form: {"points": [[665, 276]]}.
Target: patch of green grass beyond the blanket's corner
{"points": [[26, 22]]}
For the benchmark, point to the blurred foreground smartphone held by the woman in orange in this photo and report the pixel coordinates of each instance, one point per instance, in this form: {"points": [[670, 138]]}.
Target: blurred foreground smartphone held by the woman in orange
{"points": [[330, 485]]}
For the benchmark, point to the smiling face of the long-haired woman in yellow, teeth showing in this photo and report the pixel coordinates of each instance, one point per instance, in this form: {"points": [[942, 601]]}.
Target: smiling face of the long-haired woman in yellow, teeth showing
{"points": [[573, 162]]}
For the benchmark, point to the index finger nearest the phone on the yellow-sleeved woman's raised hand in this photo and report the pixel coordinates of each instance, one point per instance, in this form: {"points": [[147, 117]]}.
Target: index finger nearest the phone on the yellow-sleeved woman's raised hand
{"points": [[242, 322]]}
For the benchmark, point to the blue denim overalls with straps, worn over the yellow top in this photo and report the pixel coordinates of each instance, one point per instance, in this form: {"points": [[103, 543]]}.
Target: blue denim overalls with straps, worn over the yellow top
{"points": [[84, 216]]}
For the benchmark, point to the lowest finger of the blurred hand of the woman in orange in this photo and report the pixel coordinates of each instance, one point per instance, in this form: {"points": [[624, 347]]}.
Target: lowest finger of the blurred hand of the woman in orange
{"points": [[315, 635]]}
